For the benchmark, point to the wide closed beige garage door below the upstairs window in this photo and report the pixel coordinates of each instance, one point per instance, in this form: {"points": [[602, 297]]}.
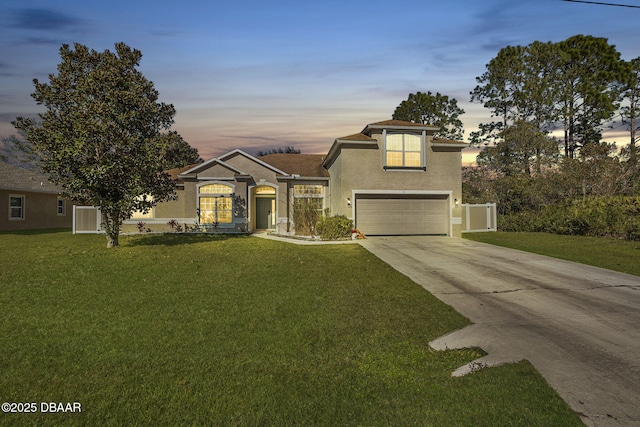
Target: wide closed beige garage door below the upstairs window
{"points": [[401, 216]]}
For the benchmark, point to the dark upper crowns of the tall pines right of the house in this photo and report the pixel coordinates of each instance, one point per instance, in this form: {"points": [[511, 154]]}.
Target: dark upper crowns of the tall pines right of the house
{"points": [[571, 85]]}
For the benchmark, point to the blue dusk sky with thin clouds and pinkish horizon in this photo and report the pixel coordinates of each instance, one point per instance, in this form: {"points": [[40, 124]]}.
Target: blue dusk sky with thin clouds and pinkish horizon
{"points": [[256, 75]]}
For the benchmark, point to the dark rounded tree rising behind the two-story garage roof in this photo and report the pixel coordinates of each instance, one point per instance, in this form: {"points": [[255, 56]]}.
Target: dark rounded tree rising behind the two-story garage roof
{"points": [[438, 110]]}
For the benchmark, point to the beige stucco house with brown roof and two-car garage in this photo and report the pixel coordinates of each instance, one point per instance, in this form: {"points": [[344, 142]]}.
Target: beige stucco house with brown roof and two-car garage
{"points": [[392, 178]]}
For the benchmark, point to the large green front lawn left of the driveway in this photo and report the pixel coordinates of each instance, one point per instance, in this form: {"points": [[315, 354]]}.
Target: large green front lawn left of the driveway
{"points": [[213, 330]]}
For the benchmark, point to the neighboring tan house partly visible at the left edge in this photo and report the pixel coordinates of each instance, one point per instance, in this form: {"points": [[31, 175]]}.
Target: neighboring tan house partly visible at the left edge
{"points": [[29, 201]]}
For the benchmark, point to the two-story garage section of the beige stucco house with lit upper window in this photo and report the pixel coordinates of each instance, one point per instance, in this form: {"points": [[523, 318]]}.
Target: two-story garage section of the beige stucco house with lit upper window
{"points": [[394, 178]]}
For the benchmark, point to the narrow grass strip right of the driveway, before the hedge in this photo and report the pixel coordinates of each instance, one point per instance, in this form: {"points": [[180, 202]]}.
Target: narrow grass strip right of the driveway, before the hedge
{"points": [[614, 254]]}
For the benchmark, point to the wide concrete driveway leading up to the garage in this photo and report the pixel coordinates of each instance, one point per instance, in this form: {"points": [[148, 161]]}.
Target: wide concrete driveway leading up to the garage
{"points": [[578, 325]]}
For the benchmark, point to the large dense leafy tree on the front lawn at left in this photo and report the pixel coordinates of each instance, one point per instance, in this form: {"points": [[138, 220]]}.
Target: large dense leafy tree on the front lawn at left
{"points": [[101, 137]]}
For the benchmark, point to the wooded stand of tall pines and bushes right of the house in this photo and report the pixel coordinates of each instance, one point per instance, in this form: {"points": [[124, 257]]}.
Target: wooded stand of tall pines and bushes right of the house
{"points": [[577, 88]]}
